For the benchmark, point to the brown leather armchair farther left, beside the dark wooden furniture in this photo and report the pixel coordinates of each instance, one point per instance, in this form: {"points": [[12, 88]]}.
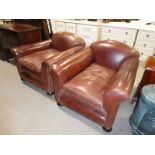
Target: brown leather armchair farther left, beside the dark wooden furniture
{"points": [[34, 60]]}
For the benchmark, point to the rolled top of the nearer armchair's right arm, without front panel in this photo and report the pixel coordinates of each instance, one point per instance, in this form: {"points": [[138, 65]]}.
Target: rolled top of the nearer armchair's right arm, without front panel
{"points": [[122, 83]]}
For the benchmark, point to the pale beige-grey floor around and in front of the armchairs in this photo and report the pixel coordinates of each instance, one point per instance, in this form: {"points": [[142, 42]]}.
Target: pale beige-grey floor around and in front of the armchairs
{"points": [[25, 109]]}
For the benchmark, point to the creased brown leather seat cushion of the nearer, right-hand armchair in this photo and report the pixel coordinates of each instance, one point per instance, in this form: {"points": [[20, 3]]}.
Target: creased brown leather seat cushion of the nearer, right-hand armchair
{"points": [[88, 87]]}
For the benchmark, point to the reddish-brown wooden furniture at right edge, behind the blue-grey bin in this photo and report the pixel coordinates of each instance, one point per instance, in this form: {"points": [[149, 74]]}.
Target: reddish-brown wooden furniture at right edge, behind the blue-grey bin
{"points": [[148, 76]]}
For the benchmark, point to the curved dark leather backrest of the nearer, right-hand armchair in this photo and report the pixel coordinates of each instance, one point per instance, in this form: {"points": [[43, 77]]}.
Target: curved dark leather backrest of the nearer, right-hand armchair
{"points": [[111, 53]]}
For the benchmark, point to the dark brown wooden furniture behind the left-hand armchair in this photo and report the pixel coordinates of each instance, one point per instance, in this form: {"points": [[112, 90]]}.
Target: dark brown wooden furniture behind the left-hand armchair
{"points": [[12, 35]]}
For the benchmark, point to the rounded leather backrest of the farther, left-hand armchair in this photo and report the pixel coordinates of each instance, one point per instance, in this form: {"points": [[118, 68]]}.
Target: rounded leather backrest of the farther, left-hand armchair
{"points": [[64, 40]]}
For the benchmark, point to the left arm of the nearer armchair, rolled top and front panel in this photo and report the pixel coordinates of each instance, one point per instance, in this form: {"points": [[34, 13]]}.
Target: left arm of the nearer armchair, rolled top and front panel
{"points": [[63, 71]]}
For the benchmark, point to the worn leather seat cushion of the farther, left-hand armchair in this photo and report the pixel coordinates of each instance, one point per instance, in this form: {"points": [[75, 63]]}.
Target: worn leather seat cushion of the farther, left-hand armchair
{"points": [[33, 61]]}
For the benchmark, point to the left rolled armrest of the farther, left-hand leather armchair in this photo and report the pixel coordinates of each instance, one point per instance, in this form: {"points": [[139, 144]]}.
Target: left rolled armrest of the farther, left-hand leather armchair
{"points": [[30, 48]]}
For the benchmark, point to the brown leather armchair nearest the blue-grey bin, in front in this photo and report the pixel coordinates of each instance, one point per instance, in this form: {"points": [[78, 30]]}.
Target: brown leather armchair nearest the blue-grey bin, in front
{"points": [[95, 81]]}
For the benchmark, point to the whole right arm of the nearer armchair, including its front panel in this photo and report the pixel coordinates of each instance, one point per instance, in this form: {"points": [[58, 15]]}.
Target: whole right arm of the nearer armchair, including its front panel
{"points": [[120, 87]]}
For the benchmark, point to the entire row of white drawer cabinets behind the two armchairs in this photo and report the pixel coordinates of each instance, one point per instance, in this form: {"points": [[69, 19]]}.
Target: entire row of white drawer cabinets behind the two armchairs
{"points": [[137, 35]]}
